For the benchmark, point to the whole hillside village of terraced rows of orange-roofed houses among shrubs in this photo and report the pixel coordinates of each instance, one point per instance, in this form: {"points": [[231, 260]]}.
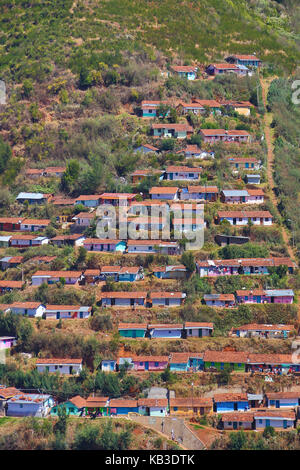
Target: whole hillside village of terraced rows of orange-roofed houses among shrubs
{"points": [[98, 326]]}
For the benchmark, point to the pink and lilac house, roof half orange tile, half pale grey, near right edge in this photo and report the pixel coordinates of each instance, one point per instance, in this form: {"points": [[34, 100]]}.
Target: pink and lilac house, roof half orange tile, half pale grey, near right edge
{"points": [[269, 296]]}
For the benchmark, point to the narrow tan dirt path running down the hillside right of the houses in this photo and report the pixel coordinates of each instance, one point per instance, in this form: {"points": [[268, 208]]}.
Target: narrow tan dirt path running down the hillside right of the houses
{"points": [[268, 118]]}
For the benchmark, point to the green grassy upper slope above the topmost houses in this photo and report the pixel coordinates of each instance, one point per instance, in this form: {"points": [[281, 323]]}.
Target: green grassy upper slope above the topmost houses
{"points": [[36, 35]]}
